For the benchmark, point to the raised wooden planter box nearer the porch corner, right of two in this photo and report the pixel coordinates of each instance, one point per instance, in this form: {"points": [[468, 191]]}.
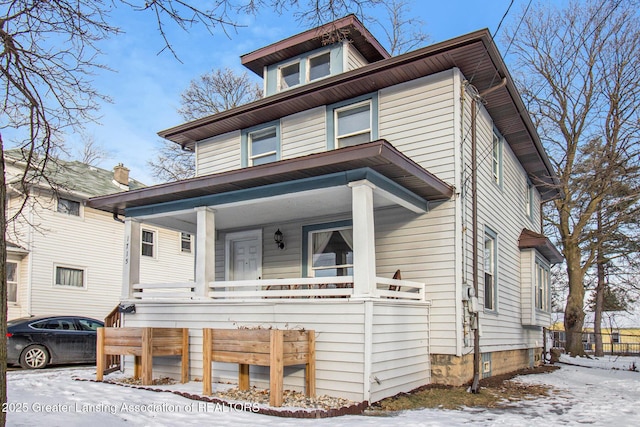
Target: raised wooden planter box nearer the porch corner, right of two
{"points": [[262, 347]]}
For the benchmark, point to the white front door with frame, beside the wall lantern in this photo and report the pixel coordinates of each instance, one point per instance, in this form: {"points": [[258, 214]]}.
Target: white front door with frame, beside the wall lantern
{"points": [[244, 255]]}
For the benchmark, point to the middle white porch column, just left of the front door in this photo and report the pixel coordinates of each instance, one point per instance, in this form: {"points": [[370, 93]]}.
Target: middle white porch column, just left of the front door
{"points": [[205, 250]]}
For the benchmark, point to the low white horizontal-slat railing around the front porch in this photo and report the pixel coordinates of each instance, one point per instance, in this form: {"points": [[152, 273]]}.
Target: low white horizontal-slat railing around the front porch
{"points": [[315, 287]]}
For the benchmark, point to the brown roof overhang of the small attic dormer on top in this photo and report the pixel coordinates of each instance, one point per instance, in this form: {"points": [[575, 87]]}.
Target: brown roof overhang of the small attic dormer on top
{"points": [[312, 39]]}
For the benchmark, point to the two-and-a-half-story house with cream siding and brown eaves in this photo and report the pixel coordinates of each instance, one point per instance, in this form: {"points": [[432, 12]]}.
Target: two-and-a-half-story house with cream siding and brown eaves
{"points": [[348, 201]]}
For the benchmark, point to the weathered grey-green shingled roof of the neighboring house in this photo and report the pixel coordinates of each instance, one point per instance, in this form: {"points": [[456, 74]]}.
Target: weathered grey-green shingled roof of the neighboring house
{"points": [[73, 177]]}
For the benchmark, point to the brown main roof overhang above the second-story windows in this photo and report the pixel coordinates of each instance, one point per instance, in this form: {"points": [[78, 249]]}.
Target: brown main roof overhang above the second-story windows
{"points": [[476, 56]]}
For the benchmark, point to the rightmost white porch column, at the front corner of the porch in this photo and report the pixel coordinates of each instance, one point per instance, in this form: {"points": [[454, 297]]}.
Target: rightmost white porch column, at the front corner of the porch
{"points": [[364, 243]]}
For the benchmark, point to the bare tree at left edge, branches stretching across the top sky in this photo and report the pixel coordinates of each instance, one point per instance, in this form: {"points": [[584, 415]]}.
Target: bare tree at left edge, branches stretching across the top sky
{"points": [[48, 52]]}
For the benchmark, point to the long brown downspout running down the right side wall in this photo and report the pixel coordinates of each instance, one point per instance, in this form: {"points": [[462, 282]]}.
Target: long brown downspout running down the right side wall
{"points": [[475, 386]]}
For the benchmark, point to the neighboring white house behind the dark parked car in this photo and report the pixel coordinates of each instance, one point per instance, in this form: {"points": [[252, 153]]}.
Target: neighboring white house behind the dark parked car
{"points": [[66, 258]]}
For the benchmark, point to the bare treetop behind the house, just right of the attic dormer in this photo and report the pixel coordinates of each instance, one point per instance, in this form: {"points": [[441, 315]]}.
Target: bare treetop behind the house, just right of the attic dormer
{"points": [[402, 32]]}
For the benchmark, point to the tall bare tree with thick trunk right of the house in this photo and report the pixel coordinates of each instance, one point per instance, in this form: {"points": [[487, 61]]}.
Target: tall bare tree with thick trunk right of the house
{"points": [[580, 77]]}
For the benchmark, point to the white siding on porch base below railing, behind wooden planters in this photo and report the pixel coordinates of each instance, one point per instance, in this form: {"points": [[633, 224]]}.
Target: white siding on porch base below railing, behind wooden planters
{"points": [[397, 341]]}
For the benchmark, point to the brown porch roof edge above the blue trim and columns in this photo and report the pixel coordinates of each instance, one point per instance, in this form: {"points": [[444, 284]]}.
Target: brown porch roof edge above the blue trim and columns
{"points": [[379, 156]]}
